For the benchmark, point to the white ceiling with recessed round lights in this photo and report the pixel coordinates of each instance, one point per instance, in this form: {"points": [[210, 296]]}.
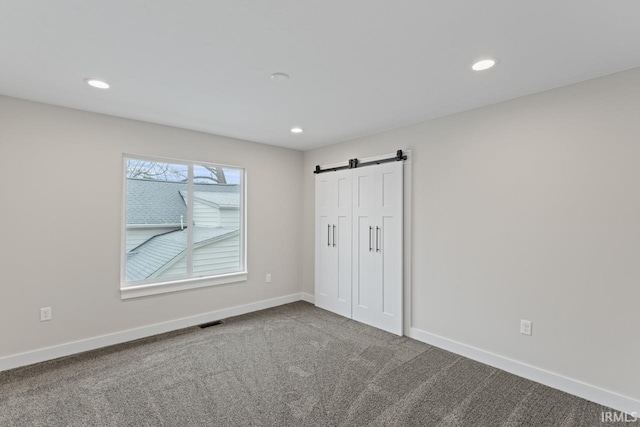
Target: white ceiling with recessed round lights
{"points": [[357, 66]]}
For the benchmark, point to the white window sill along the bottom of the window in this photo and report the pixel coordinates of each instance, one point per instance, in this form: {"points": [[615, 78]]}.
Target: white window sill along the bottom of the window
{"points": [[180, 285]]}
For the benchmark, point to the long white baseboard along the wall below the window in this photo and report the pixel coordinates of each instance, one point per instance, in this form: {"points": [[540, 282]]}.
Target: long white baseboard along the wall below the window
{"points": [[67, 349]]}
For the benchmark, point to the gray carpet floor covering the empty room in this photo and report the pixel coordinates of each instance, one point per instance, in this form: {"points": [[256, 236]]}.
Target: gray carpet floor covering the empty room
{"points": [[293, 365]]}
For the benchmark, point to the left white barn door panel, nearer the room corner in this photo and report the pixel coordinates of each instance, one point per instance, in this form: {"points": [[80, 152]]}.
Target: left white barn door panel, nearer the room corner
{"points": [[333, 242]]}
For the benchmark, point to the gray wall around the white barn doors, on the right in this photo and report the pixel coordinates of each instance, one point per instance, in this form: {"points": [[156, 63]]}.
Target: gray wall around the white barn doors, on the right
{"points": [[525, 209]]}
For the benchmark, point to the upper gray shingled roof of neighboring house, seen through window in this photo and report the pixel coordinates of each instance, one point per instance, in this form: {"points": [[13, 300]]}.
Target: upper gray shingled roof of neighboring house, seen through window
{"points": [[151, 202]]}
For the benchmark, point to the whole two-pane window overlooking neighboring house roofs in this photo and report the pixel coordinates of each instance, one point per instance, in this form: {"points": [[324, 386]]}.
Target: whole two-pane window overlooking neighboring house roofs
{"points": [[183, 221]]}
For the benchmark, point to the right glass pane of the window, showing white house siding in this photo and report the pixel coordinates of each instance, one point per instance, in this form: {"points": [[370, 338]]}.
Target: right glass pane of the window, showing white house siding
{"points": [[217, 240]]}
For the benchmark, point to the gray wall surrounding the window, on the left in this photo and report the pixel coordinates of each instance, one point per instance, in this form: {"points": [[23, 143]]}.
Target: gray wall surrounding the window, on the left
{"points": [[61, 186]]}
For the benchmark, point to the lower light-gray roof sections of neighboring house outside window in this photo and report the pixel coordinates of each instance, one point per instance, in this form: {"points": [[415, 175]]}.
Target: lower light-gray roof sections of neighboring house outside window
{"points": [[160, 251]]}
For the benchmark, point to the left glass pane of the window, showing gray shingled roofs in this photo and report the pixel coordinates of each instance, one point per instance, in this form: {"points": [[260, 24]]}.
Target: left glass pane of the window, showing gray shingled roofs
{"points": [[156, 220]]}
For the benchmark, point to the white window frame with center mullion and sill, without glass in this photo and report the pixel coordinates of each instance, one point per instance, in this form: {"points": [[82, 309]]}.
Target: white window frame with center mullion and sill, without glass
{"points": [[190, 280]]}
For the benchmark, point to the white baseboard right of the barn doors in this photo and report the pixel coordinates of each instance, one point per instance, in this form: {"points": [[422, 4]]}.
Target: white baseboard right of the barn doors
{"points": [[559, 382]]}
